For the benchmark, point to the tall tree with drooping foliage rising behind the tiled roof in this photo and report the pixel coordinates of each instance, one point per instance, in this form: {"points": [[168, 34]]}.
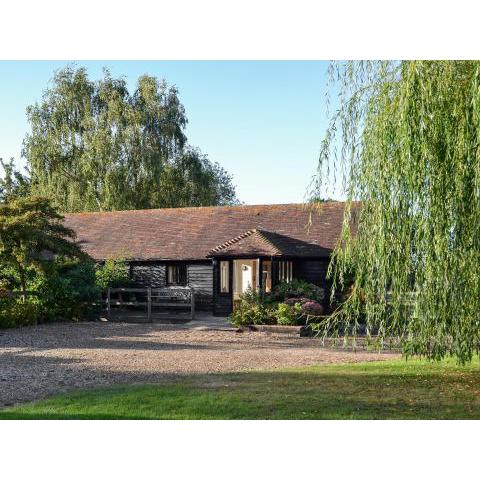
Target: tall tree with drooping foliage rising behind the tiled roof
{"points": [[95, 146]]}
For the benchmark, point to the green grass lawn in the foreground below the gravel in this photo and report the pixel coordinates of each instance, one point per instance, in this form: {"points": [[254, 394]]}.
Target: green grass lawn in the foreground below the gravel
{"points": [[394, 389]]}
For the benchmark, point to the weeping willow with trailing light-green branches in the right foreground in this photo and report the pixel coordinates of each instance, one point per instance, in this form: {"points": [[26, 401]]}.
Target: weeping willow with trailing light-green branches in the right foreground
{"points": [[406, 141]]}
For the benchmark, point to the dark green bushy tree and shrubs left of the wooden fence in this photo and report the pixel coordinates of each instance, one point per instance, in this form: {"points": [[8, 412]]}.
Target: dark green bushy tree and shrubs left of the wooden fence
{"points": [[38, 255]]}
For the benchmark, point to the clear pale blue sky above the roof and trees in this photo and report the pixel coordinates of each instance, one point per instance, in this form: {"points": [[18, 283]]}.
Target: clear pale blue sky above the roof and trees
{"points": [[263, 121]]}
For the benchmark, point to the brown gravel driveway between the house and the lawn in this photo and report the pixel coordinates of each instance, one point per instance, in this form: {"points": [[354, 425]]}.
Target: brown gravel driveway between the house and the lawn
{"points": [[36, 362]]}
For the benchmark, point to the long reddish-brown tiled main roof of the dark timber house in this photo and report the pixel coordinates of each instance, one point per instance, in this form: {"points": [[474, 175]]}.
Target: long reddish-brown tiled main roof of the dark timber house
{"points": [[192, 233]]}
